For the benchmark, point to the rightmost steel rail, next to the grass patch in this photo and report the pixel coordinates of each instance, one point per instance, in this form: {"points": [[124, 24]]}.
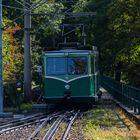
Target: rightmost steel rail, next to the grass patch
{"points": [[65, 135]]}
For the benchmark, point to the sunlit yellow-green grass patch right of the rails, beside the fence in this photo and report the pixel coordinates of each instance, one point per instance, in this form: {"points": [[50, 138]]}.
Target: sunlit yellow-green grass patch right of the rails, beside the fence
{"points": [[103, 123]]}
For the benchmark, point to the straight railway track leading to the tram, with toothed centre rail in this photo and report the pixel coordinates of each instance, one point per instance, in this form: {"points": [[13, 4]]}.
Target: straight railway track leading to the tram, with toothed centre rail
{"points": [[67, 117]]}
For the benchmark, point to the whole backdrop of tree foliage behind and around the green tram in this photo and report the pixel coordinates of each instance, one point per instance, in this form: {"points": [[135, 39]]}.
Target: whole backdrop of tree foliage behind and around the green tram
{"points": [[115, 30]]}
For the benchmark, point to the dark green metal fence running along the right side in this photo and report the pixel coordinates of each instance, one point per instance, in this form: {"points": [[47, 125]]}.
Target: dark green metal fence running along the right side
{"points": [[129, 96]]}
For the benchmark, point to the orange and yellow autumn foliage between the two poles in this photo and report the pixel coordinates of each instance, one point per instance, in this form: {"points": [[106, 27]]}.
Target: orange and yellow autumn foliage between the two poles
{"points": [[12, 57]]}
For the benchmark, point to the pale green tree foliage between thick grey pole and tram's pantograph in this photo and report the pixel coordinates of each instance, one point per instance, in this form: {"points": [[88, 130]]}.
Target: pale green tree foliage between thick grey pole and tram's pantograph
{"points": [[45, 30]]}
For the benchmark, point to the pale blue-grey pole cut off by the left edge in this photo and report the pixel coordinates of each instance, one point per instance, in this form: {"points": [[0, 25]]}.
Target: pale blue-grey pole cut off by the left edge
{"points": [[1, 67]]}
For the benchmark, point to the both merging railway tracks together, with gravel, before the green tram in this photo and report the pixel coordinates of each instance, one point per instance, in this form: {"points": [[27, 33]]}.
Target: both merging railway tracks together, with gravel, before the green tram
{"points": [[29, 127]]}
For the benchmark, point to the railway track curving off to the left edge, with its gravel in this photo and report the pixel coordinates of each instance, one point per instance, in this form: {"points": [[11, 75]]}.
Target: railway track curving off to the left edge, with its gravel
{"points": [[22, 128]]}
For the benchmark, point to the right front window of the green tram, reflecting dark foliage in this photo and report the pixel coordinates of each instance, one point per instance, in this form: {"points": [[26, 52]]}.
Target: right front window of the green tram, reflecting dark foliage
{"points": [[77, 65]]}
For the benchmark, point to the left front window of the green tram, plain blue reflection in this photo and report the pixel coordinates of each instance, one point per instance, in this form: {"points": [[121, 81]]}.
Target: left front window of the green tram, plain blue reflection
{"points": [[56, 66]]}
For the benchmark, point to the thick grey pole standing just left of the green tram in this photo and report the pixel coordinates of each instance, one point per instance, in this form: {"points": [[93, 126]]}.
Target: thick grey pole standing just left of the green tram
{"points": [[27, 51]]}
